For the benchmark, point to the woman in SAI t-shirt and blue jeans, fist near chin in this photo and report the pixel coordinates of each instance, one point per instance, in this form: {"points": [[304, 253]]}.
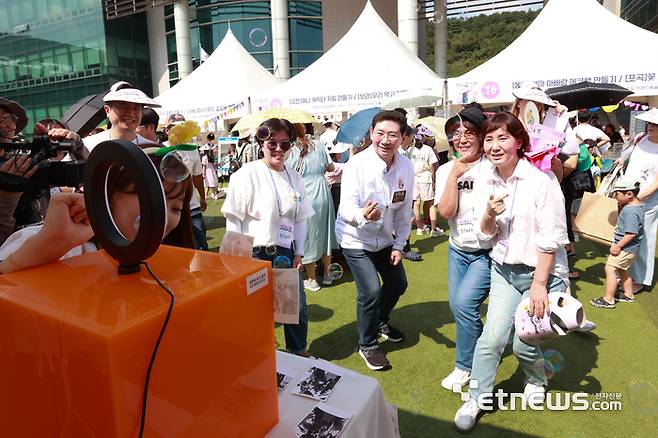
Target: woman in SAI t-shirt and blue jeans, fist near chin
{"points": [[458, 193]]}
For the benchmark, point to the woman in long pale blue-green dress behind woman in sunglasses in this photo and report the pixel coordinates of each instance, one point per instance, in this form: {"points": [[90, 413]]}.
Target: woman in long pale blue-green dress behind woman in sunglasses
{"points": [[312, 161]]}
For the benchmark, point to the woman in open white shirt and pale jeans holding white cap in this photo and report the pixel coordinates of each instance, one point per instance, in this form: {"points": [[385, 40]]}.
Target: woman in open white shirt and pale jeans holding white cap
{"points": [[525, 221]]}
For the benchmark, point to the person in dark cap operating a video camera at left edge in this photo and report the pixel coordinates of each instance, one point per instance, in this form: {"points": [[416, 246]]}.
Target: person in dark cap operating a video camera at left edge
{"points": [[16, 168]]}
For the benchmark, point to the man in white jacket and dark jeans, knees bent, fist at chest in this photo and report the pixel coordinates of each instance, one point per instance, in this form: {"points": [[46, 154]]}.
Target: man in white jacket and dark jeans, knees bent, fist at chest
{"points": [[373, 223]]}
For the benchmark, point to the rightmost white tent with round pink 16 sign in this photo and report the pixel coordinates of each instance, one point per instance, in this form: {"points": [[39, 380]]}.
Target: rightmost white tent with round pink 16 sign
{"points": [[570, 41]]}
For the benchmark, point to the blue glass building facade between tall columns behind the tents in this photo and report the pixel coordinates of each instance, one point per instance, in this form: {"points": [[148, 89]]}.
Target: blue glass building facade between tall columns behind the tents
{"points": [[250, 21]]}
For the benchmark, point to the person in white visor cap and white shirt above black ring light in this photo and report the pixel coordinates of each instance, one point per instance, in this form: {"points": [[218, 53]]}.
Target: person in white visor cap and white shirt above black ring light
{"points": [[123, 105]]}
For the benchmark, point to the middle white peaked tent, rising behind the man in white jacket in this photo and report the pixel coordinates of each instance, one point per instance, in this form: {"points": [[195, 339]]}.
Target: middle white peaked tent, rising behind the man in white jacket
{"points": [[368, 66]]}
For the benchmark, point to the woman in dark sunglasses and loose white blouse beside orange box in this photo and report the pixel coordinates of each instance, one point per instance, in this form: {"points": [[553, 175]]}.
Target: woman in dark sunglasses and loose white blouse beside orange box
{"points": [[266, 199]]}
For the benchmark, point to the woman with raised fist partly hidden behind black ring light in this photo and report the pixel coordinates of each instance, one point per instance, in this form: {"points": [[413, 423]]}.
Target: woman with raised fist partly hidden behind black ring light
{"points": [[66, 231]]}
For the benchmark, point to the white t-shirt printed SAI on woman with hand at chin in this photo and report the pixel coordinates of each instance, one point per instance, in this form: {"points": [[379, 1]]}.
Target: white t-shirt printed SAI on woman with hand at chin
{"points": [[472, 201]]}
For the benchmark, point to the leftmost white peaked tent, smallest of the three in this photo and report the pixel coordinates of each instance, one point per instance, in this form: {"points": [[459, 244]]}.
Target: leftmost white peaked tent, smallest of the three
{"points": [[222, 84]]}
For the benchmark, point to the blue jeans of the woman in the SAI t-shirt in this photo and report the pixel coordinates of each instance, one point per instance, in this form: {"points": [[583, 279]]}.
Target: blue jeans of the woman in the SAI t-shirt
{"points": [[469, 278]]}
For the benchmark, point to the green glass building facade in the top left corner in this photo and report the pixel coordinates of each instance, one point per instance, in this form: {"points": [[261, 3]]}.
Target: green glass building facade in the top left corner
{"points": [[55, 52]]}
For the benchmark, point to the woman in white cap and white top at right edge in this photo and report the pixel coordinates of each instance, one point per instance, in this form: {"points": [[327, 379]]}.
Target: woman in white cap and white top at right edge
{"points": [[643, 167]]}
